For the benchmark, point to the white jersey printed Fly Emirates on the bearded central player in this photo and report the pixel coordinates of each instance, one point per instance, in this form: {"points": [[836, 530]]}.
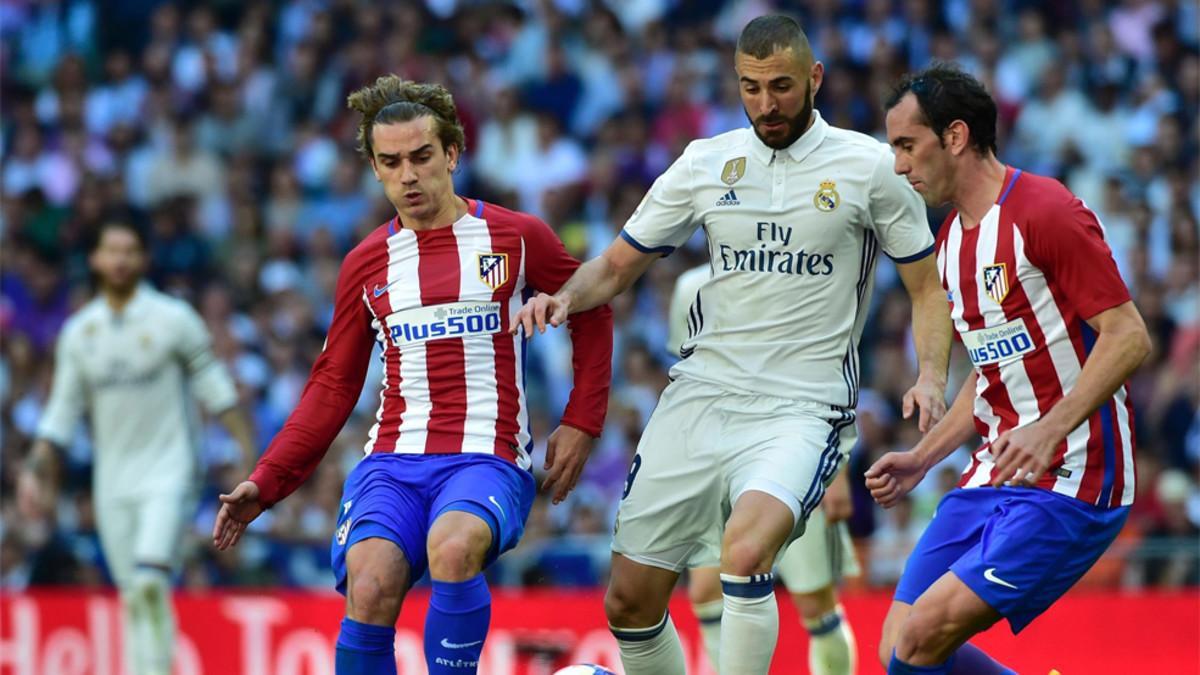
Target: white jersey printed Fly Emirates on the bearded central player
{"points": [[793, 237]]}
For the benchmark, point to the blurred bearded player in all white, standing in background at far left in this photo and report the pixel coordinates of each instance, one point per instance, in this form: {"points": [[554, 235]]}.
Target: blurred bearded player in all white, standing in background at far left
{"points": [[131, 361]]}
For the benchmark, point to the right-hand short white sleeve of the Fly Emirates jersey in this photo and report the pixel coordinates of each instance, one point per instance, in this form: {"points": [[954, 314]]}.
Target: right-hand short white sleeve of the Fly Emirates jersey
{"points": [[898, 214]]}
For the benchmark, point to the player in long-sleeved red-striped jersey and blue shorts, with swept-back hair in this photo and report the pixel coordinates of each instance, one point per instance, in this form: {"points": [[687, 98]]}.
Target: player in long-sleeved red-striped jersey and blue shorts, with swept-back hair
{"points": [[446, 483]]}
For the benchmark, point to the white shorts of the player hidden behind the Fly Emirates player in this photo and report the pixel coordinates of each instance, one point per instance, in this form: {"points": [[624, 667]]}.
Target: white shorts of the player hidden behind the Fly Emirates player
{"points": [[819, 559]]}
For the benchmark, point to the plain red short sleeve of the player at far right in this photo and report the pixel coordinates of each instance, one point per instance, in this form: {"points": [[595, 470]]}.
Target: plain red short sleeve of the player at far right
{"points": [[1067, 244]]}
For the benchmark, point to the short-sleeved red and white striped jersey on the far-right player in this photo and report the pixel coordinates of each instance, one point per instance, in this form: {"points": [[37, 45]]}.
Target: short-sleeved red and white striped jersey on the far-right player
{"points": [[1022, 285]]}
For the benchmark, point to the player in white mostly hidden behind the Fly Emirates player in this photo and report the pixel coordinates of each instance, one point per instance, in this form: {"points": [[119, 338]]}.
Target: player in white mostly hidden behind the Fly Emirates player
{"points": [[811, 566]]}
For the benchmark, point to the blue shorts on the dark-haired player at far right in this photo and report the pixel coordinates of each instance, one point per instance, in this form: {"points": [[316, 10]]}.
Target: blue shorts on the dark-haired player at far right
{"points": [[1019, 549]]}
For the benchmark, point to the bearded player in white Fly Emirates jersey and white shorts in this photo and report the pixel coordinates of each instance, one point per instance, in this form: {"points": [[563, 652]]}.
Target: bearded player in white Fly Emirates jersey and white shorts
{"points": [[760, 414]]}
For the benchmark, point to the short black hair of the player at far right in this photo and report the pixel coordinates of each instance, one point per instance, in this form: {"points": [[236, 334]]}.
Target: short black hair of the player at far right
{"points": [[946, 93]]}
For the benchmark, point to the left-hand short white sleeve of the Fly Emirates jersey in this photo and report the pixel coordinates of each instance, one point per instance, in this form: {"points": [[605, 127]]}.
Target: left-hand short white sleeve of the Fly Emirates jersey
{"points": [[667, 218]]}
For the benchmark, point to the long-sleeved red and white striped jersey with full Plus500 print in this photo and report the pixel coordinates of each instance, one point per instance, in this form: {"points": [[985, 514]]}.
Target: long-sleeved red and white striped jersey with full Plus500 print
{"points": [[440, 303]]}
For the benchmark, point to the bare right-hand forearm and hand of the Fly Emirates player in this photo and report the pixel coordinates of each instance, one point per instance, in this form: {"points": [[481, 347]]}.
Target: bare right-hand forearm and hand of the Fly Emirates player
{"points": [[932, 333]]}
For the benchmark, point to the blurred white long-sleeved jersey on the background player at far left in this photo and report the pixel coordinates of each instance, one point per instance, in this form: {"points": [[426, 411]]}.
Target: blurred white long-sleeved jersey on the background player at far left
{"points": [[134, 375]]}
